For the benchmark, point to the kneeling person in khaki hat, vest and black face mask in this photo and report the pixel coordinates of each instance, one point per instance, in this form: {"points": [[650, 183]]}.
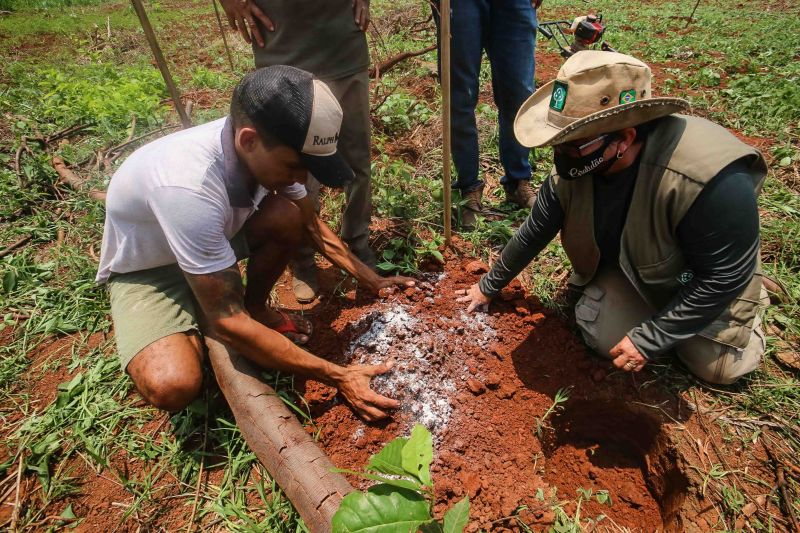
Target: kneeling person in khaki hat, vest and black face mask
{"points": [[657, 214]]}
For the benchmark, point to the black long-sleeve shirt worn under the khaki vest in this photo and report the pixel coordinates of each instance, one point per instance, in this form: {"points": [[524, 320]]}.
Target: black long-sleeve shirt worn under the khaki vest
{"points": [[719, 236]]}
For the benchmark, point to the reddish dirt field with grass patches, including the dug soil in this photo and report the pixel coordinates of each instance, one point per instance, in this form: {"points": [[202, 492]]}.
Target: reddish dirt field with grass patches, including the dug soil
{"points": [[539, 432]]}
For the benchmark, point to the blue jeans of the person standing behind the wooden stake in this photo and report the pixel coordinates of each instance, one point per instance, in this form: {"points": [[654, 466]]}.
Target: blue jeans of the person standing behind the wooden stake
{"points": [[506, 29]]}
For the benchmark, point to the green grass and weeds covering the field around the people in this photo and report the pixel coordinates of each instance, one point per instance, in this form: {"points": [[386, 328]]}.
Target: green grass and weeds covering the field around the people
{"points": [[742, 71]]}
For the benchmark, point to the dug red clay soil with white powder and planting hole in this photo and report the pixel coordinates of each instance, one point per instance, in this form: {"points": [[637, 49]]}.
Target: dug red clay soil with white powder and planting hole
{"points": [[485, 381]]}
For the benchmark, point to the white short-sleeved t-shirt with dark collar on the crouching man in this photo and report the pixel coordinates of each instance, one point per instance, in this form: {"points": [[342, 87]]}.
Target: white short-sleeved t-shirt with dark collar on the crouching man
{"points": [[179, 199]]}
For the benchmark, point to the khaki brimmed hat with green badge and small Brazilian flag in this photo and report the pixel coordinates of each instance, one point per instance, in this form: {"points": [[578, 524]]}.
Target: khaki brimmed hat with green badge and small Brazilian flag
{"points": [[595, 92]]}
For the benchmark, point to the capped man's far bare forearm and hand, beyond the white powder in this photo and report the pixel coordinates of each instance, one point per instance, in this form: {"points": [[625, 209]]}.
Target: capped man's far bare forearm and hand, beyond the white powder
{"points": [[332, 247]]}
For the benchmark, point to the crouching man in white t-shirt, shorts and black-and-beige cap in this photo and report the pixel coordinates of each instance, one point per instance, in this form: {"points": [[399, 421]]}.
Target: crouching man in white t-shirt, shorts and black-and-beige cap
{"points": [[182, 210]]}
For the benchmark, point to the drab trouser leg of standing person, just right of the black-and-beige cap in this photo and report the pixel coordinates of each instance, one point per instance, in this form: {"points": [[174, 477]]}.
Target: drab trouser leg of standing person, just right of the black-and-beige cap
{"points": [[354, 145]]}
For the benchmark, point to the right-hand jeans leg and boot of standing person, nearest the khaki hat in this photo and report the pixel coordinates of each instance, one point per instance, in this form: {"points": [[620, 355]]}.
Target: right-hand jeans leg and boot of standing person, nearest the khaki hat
{"points": [[511, 48]]}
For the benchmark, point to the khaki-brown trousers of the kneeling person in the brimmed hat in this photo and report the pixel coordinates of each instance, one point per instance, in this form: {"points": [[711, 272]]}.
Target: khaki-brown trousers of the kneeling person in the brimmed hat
{"points": [[610, 307]]}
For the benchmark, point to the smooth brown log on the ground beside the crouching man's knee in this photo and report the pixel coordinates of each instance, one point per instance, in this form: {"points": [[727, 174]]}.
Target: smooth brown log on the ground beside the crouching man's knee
{"points": [[290, 455]]}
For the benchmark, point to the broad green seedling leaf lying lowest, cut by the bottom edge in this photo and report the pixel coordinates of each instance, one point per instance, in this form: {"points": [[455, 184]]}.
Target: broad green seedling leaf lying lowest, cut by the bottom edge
{"points": [[381, 509]]}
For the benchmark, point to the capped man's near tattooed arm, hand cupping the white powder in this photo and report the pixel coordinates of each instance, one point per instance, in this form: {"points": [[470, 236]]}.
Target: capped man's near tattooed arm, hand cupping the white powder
{"points": [[221, 298]]}
